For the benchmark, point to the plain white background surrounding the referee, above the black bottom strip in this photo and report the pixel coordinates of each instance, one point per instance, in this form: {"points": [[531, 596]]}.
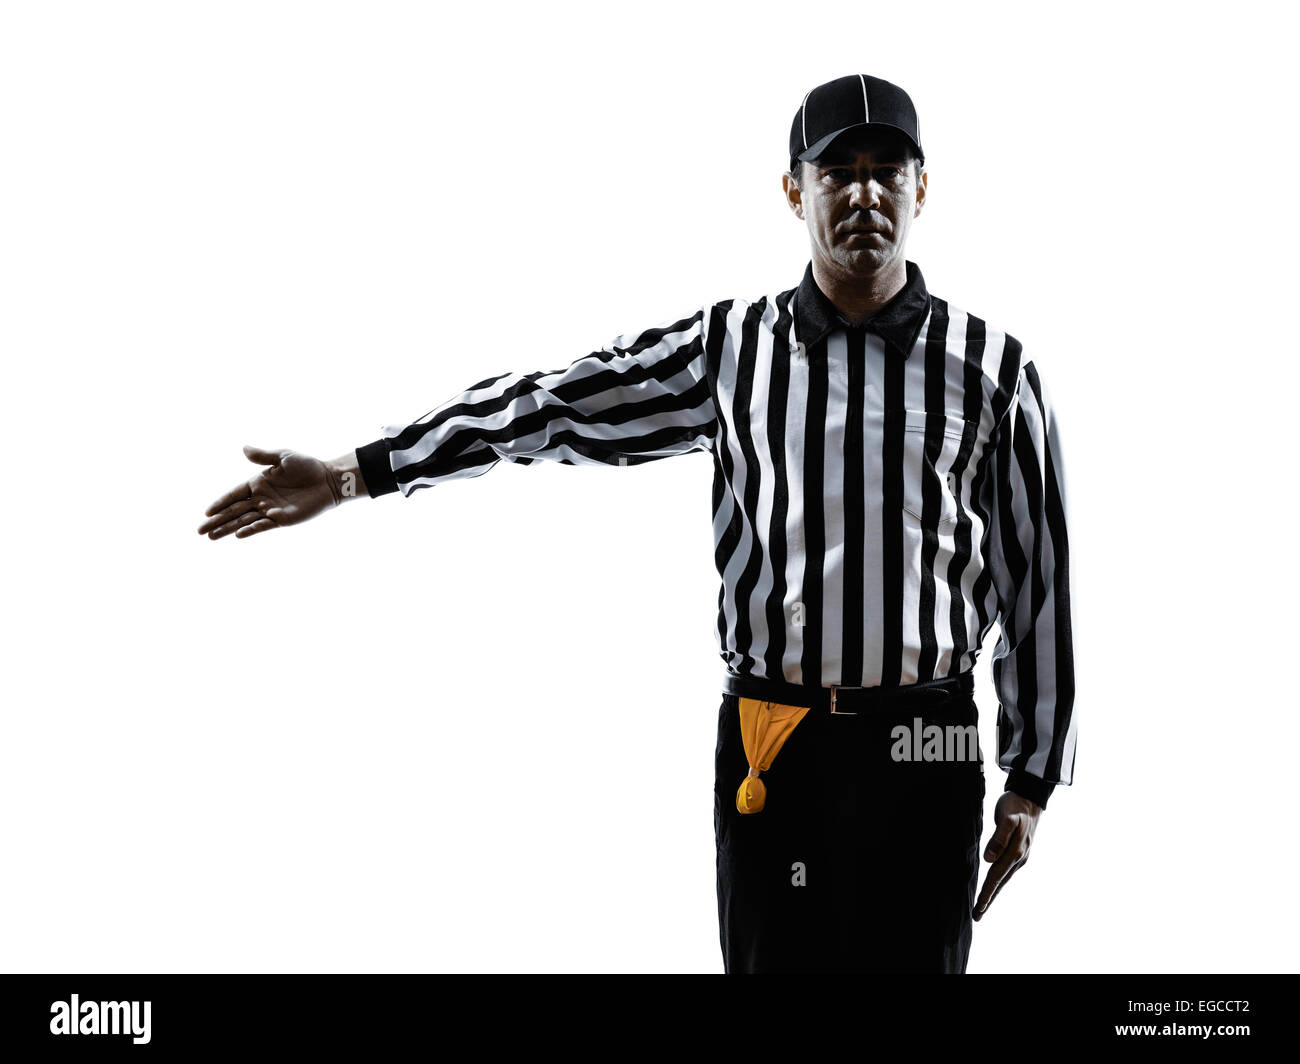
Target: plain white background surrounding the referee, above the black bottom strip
{"points": [[474, 730]]}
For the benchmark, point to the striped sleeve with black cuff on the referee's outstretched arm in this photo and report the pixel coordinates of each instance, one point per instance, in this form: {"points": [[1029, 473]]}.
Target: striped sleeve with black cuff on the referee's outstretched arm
{"points": [[642, 397]]}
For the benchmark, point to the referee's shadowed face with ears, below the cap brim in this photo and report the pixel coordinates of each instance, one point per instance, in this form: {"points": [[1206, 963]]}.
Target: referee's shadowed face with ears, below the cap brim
{"points": [[859, 202]]}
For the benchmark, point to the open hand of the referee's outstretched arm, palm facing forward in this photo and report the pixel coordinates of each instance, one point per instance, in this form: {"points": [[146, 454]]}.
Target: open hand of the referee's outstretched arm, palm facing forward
{"points": [[294, 488]]}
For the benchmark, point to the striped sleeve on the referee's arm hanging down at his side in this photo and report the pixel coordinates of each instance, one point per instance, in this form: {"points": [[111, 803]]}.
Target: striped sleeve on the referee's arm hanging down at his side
{"points": [[1033, 663]]}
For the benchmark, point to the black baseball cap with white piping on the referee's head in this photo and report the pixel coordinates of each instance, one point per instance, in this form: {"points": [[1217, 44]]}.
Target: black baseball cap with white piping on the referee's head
{"points": [[852, 102]]}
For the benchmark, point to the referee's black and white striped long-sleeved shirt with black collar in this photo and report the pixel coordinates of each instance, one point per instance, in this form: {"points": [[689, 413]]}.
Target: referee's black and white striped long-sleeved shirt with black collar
{"points": [[883, 495]]}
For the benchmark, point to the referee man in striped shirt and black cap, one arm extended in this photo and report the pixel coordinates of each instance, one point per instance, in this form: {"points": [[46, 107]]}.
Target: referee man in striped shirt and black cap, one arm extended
{"points": [[889, 485]]}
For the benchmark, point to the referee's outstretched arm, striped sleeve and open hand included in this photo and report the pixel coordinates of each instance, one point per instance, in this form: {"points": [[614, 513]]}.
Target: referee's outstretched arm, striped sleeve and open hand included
{"points": [[642, 397]]}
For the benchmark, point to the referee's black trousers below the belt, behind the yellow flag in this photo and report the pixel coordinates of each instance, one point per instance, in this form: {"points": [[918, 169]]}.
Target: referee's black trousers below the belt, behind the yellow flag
{"points": [[859, 862]]}
